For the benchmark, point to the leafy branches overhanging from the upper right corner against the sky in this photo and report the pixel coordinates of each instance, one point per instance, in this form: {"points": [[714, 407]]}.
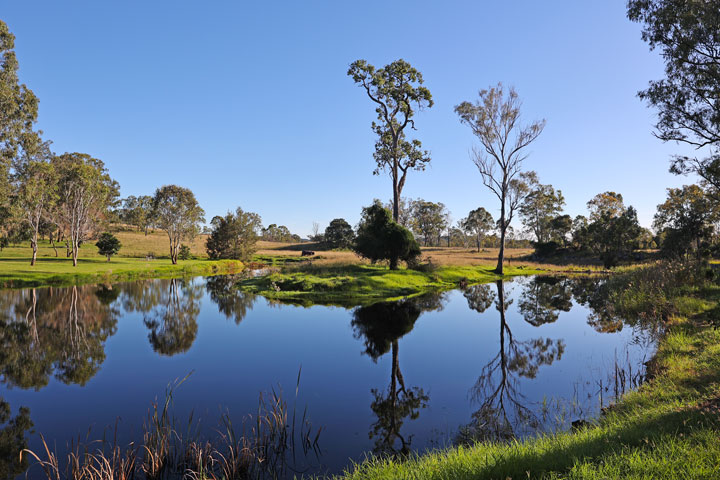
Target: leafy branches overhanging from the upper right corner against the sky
{"points": [[686, 33]]}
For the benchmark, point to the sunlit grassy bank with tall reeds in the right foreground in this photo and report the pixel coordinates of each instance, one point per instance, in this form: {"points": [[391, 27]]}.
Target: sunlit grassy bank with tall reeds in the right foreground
{"points": [[669, 428]]}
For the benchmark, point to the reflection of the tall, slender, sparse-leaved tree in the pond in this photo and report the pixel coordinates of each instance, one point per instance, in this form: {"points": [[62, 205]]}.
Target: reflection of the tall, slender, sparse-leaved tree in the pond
{"points": [[502, 407]]}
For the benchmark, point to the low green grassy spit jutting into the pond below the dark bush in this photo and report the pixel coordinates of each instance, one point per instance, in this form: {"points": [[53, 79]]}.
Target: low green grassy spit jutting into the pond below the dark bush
{"points": [[357, 284]]}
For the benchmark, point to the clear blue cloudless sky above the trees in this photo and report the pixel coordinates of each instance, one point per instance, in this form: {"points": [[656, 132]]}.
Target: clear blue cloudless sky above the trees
{"points": [[248, 103]]}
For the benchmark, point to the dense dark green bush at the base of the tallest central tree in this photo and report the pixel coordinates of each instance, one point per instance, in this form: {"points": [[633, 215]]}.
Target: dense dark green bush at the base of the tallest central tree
{"points": [[380, 238]]}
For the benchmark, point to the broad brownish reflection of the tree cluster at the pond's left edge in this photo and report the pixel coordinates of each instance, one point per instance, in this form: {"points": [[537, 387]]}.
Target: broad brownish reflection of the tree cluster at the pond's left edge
{"points": [[60, 331]]}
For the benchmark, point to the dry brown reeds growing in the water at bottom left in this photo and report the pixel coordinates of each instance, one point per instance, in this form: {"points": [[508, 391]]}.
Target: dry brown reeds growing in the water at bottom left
{"points": [[267, 444]]}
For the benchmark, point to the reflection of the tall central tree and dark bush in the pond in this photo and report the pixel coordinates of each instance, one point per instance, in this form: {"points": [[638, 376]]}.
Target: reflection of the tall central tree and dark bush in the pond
{"points": [[382, 325]]}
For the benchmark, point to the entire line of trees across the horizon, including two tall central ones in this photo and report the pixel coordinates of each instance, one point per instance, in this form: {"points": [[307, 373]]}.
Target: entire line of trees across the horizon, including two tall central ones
{"points": [[71, 197]]}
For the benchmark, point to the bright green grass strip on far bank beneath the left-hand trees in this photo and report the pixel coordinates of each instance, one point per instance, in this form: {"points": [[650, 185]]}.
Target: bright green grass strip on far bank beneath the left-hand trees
{"points": [[16, 272]]}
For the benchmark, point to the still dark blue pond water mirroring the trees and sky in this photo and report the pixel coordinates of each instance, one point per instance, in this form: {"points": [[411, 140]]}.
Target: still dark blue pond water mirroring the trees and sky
{"points": [[387, 378]]}
